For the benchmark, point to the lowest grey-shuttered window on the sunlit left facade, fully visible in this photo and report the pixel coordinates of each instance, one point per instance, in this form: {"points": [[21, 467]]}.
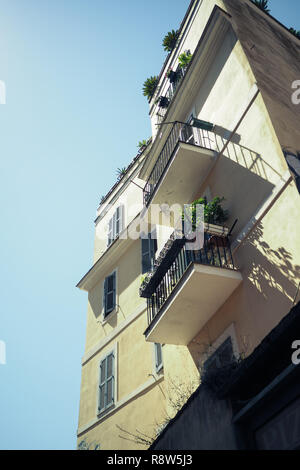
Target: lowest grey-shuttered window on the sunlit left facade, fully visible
{"points": [[107, 382]]}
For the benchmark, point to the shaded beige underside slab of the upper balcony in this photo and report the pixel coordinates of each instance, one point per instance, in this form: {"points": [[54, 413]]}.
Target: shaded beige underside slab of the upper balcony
{"points": [[183, 176]]}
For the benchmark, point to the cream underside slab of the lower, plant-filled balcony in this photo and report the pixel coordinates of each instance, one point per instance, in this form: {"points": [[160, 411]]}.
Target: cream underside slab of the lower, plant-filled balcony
{"points": [[199, 294]]}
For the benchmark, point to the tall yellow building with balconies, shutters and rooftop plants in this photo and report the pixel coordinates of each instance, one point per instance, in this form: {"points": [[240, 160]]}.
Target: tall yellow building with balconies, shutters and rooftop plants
{"points": [[225, 125]]}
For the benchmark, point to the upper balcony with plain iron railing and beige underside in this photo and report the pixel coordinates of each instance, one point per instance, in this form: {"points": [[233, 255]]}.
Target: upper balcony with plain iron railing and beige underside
{"points": [[183, 163]]}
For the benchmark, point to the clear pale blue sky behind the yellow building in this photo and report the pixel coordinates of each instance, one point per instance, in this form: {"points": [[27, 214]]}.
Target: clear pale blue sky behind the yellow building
{"points": [[74, 113]]}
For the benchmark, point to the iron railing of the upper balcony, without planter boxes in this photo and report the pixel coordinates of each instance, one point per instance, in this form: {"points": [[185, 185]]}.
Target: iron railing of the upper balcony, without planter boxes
{"points": [[180, 132]]}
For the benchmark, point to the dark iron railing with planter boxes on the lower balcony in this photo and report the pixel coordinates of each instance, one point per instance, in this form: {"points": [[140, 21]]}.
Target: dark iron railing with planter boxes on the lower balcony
{"points": [[215, 252]]}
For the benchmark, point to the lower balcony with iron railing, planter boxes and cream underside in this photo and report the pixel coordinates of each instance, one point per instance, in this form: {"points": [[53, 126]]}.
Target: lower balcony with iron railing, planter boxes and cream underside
{"points": [[188, 287]]}
